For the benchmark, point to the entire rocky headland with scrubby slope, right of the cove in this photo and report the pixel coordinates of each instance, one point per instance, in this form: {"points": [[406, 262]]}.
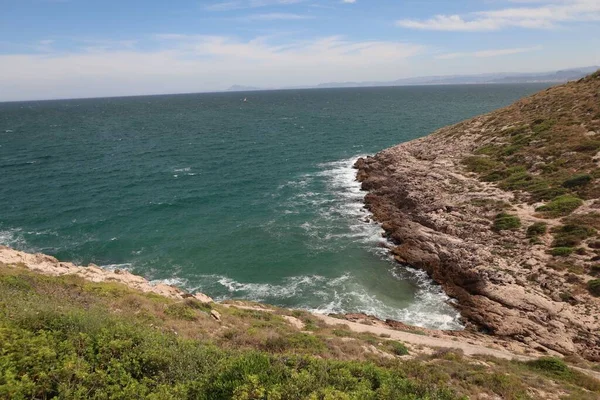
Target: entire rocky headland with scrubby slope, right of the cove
{"points": [[445, 216]]}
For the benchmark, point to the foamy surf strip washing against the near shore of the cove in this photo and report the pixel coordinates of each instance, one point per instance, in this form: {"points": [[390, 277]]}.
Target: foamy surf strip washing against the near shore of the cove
{"points": [[327, 295]]}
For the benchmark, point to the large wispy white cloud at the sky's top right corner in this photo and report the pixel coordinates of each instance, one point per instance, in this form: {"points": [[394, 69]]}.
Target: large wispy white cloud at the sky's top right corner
{"points": [[547, 14]]}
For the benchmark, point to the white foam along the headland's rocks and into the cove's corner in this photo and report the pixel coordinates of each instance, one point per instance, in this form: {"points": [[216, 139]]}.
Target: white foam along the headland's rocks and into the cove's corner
{"points": [[343, 201]]}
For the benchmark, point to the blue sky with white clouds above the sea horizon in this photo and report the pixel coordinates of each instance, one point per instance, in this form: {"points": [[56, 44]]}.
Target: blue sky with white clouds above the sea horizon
{"points": [[86, 48]]}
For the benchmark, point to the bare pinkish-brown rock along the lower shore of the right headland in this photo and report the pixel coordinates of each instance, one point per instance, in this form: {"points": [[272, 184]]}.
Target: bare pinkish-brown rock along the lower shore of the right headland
{"points": [[438, 216]]}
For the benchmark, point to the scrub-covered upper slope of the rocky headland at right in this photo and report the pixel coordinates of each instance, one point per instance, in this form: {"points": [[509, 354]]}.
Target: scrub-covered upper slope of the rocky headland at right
{"points": [[546, 149]]}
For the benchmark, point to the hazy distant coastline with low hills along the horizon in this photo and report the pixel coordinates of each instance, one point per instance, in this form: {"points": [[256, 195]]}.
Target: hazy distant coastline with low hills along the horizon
{"points": [[493, 78]]}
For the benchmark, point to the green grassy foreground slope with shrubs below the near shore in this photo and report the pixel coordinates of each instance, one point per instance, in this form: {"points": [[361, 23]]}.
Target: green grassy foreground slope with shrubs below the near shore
{"points": [[74, 339]]}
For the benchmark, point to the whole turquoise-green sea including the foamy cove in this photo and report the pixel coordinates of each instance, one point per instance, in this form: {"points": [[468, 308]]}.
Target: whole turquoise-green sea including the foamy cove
{"points": [[236, 199]]}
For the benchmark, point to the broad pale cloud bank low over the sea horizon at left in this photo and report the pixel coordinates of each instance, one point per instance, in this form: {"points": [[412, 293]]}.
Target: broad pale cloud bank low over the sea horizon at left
{"points": [[185, 63]]}
